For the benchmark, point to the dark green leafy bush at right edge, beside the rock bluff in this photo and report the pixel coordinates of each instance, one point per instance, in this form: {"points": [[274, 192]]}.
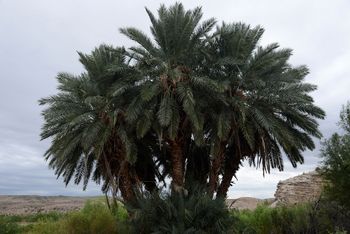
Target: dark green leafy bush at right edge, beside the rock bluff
{"points": [[336, 161]]}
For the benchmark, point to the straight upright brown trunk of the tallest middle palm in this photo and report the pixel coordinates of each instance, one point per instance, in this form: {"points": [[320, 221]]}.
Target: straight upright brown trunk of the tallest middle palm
{"points": [[177, 165]]}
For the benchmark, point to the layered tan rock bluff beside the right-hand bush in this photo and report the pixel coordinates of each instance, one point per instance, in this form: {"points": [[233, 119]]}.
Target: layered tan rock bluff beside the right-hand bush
{"points": [[302, 188]]}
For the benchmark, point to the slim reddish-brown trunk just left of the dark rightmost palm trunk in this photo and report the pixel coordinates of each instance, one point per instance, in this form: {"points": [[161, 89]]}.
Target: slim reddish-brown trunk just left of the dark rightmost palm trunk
{"points": [[215, 169]]}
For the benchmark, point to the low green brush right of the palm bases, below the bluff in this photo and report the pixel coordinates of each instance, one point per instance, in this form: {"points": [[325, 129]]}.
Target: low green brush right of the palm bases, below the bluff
{"points": [[323, 216]]}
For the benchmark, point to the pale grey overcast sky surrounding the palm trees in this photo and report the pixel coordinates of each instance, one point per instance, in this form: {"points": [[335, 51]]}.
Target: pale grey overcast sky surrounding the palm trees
{"points": [[39, 38]]}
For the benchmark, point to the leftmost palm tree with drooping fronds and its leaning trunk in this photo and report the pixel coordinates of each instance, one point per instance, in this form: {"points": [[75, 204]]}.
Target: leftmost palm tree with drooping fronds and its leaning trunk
{"points": [[86, 124]]}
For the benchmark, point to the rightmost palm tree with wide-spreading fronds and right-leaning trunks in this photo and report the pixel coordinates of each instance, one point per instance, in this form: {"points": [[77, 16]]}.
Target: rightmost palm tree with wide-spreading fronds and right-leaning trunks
{"points": [[269, 106]]}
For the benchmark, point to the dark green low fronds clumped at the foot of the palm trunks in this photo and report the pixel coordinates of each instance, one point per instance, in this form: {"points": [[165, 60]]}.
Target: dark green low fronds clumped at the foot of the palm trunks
{"points": [[176, 213]]}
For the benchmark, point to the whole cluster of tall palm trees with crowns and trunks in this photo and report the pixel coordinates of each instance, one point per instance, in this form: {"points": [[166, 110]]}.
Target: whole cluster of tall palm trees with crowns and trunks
{"points": [[190, 104]]}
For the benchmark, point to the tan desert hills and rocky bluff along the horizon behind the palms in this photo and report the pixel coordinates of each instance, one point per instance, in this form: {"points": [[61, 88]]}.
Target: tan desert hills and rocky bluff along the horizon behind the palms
{"points": [[301, 188]]}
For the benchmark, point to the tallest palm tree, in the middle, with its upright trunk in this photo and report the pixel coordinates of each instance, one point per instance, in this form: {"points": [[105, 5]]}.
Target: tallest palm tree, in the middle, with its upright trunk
{"points": [[170, 88]]}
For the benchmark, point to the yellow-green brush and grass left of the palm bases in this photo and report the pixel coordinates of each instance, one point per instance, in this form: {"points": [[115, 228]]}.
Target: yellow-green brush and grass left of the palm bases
{"points": [[94, 217]]}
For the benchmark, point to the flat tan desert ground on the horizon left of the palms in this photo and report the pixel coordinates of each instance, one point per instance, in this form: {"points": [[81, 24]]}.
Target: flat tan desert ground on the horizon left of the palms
{"points": [[15, 205]]}
